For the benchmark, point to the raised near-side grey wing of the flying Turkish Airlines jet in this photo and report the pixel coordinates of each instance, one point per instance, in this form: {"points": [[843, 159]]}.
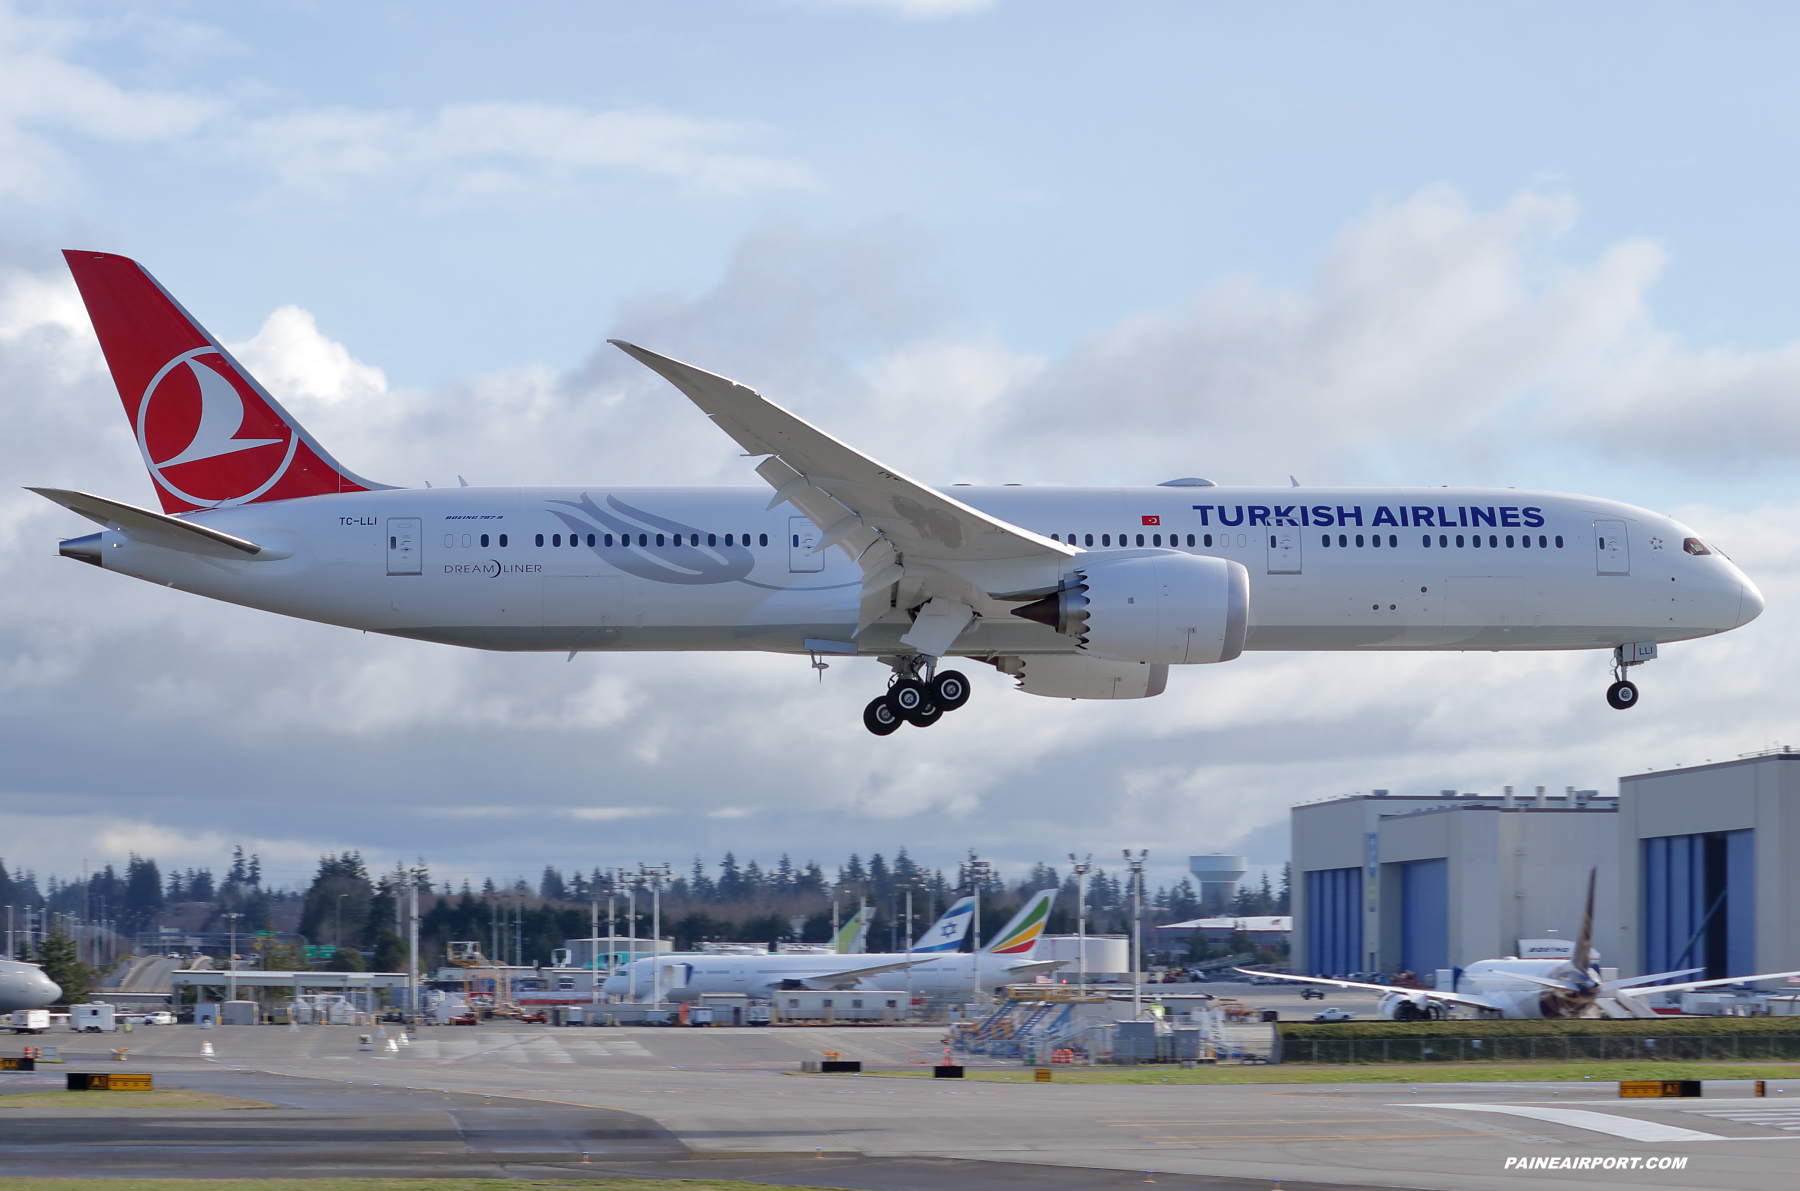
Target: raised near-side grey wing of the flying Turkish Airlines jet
{"points": [[892, 524]]}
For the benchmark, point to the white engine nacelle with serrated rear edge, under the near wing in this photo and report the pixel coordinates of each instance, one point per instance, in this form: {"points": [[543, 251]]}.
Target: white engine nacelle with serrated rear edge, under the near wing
{"points": [[1158, 607]]}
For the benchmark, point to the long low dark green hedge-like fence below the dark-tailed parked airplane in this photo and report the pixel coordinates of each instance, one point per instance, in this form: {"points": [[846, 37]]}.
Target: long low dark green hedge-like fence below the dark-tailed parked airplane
{"points": [[1543, 1048]]}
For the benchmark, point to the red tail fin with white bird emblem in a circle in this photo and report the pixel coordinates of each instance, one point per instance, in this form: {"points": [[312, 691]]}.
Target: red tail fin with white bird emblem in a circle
{"points": [[210, 434]]}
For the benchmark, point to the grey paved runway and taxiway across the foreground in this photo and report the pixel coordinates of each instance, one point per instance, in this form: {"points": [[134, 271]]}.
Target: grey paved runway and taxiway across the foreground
{"points": [[523, 1102]]}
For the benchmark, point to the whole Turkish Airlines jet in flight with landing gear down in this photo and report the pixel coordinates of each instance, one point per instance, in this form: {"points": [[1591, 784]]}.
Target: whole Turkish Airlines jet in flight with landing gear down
{"points": [[1077, 593]]}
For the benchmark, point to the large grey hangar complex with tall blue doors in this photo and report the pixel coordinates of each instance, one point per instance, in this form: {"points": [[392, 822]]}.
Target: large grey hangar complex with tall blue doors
{"points": [[1698, 868]]}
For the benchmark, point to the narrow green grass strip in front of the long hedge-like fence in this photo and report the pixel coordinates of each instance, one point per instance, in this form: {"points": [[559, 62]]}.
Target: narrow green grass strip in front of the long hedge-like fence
{"points": [[1785, 1075]]}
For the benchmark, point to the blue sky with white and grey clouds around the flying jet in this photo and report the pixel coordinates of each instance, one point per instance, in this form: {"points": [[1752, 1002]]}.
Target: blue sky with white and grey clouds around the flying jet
{"points": [[1387, 244]]}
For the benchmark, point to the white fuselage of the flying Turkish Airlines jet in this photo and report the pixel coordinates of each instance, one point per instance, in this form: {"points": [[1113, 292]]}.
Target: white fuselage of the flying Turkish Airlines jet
{"points": [[715, 569]]}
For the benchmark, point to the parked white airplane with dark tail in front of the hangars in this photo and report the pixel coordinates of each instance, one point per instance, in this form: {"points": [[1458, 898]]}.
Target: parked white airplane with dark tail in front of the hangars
{"points": [[1534, 989]]}
